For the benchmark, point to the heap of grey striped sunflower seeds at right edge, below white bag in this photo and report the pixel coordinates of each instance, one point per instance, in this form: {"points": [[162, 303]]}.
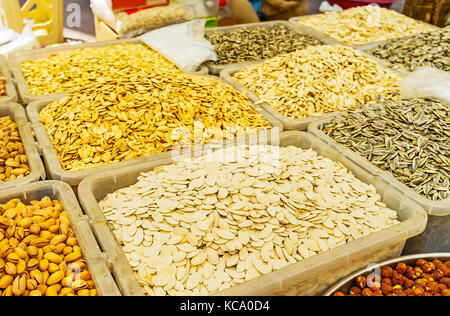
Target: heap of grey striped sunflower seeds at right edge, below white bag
{"points": [[409, 139]]}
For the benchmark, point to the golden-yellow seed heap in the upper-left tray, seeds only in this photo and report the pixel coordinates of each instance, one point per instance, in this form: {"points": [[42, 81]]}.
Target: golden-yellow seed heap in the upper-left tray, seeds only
{"points": [[67, 71]]}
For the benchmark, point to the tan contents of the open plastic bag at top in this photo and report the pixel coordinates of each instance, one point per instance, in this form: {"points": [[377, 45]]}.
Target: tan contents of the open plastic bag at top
{"points": [[148, 19]]}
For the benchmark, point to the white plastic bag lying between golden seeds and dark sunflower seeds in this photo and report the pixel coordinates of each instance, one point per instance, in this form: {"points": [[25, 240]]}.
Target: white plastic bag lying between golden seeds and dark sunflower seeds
{"points": [[183, 44]]}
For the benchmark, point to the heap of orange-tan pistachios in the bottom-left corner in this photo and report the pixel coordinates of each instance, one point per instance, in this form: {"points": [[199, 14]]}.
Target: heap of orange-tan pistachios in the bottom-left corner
{"points": [[39, 252]]}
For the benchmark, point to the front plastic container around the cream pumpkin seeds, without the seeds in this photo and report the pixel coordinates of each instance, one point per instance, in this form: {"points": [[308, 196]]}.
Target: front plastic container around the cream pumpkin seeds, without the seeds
{"points": [[309, 277]]}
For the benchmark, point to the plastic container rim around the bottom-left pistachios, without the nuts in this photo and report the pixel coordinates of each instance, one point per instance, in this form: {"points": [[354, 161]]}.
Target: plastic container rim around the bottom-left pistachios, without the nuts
{"points": [[96, 260]]}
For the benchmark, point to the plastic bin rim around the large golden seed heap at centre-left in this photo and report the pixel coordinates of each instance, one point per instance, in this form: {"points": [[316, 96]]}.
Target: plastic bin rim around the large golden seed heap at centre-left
{"points": [[56, 172]]}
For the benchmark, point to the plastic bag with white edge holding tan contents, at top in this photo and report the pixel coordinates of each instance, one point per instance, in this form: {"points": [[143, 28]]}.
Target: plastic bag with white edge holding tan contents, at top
{"points": [[133, 23]]}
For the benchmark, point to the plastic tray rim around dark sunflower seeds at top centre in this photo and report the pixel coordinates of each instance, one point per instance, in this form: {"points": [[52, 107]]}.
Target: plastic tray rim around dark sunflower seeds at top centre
{"points": [[216, 69]]}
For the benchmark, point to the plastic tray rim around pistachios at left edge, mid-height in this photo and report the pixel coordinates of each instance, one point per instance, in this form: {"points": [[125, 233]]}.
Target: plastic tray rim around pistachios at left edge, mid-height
{"points": [[37, 170]]}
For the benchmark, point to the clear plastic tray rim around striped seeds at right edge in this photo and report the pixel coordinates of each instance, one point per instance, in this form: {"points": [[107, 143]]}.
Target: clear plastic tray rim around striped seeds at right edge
{"points": [[436, 208]]}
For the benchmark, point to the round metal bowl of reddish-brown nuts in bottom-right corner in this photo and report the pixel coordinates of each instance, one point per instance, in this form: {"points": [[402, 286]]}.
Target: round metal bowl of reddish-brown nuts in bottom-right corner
{"points": [[414, 275]]}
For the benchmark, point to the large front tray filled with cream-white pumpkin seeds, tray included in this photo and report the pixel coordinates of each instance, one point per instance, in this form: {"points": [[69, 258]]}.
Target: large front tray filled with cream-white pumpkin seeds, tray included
{"points": [[278, 218]]}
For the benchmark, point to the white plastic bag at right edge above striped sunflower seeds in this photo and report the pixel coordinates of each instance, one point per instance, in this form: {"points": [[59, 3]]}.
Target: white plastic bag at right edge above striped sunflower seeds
{"points": [[426, 82]]}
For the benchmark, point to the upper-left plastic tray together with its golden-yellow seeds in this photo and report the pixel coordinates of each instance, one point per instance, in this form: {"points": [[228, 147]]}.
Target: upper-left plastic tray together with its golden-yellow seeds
{"points": [[54, 71]]}
